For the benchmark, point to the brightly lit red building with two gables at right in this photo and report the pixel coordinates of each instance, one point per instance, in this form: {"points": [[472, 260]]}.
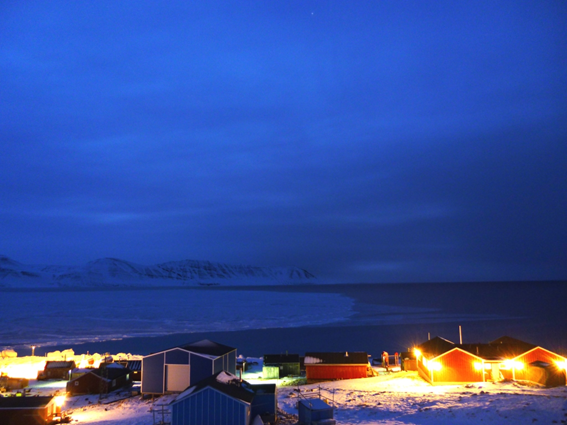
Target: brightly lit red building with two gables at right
{"points": [[440, 361]]}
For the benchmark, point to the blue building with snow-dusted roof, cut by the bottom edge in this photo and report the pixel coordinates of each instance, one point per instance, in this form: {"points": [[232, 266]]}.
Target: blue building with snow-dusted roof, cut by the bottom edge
{"points": [[224, 399]]}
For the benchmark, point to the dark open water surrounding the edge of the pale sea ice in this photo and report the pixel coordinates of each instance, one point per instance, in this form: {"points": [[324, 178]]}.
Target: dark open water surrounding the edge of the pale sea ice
{"points": [[532, 311]]}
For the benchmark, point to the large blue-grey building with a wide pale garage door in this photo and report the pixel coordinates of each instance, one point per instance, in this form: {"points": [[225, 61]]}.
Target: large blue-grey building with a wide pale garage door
{"points": [[175, 369]]}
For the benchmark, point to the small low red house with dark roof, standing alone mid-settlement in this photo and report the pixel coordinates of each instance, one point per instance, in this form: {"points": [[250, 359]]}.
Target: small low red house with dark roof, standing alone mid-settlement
{"points": [[329, 366]]}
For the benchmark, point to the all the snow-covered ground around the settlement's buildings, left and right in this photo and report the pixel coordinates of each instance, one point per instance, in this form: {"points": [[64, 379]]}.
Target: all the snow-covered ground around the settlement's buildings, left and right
{"points": [[394, 399]]}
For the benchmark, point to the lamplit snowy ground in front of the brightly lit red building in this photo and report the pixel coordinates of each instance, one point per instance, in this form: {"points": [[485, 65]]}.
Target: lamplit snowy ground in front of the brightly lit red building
{"points": [[403, 398]]}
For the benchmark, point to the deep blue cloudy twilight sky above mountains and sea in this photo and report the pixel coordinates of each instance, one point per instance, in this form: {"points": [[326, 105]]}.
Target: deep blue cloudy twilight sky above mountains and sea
{"points": [[371, 141]]}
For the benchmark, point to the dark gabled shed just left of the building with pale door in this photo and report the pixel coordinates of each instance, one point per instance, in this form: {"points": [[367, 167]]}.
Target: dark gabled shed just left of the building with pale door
{"points": [[101, 381]]}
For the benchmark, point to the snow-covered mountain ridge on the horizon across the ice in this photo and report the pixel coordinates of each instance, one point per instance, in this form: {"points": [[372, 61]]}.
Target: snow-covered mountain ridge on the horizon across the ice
{"points": [[116, 272]]}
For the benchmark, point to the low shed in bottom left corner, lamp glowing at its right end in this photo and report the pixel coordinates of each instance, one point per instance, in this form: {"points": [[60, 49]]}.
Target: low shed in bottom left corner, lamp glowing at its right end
{"points": [[28, 410]]}
